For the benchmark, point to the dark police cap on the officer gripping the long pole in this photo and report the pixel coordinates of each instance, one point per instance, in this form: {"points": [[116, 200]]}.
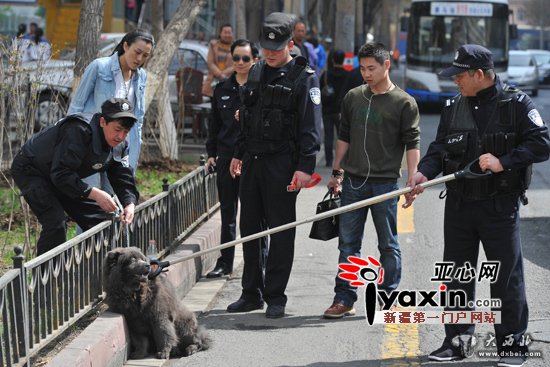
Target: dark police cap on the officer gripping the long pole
{"points": [[469, 57]]}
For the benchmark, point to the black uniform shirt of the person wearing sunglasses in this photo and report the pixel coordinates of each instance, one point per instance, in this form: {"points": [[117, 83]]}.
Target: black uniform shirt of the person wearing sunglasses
{"points": [[223, 129]]}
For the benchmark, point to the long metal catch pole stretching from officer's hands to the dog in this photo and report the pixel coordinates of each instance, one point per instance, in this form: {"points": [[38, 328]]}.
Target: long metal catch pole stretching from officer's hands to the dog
{"points": [[158, 266]]}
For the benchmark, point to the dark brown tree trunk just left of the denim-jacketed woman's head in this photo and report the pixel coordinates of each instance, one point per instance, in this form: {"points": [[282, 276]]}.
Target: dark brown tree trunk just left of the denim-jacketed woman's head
{"points": [[89, 30]]}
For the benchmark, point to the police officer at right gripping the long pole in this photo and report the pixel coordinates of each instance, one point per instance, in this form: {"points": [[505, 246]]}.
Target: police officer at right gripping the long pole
{"points": [[501, 127]]}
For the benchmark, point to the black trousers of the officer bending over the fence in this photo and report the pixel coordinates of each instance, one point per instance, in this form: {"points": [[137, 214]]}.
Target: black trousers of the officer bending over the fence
{"points": [[49, 205]]}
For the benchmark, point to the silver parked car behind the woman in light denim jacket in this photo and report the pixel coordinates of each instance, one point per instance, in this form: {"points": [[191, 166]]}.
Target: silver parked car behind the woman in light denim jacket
{"points": [[55, 77]]}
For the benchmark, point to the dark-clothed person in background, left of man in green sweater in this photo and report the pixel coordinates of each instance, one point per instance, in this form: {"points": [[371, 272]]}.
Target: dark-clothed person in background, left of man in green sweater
{"points": [[332, 80]]}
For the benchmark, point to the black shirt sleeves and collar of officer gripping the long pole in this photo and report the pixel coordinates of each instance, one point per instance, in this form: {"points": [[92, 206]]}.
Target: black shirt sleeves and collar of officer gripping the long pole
{"points": [[534, 143]]}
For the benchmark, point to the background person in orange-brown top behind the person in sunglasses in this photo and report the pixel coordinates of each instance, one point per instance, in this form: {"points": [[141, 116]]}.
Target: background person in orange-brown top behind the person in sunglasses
{"points": [[219, 62]]}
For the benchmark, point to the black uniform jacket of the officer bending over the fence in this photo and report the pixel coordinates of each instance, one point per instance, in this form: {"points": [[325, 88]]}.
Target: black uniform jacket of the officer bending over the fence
{"points": [[73, 149]]}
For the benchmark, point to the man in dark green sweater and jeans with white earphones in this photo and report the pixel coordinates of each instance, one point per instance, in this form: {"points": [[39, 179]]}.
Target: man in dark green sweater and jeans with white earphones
{"points": [[379, 125]]}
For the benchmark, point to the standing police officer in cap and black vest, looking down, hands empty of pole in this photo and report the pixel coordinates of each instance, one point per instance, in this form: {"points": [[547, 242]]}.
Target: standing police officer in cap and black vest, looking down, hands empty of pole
{"points": [[277, 147]]}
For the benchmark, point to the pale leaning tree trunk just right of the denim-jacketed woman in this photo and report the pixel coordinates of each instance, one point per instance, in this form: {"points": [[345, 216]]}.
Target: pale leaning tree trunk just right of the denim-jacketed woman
{"points": [[157, 69]]}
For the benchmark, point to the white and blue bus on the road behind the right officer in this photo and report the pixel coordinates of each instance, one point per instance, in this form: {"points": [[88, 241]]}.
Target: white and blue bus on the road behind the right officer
{"points": [[436, 29]]}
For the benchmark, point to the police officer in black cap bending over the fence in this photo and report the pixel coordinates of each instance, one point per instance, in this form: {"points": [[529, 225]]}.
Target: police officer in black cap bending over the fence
{"points": [[50, 166]]}
